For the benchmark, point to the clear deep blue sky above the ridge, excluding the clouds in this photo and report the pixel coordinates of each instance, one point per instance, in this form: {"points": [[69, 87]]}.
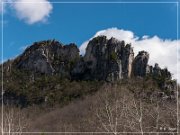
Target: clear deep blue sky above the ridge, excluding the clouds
{"points": [[79, 22]]}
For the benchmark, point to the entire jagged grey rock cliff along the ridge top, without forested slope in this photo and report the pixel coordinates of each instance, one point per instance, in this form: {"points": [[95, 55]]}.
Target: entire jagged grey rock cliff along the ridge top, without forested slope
{"points": [[109, 60]]}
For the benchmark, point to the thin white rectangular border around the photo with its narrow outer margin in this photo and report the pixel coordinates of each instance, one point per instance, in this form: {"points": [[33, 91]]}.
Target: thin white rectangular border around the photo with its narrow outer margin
{"points": [[88, 2]]}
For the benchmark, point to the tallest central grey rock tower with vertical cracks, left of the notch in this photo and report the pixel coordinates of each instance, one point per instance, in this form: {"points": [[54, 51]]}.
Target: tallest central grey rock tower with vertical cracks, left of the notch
{"points": [[108, 59]]}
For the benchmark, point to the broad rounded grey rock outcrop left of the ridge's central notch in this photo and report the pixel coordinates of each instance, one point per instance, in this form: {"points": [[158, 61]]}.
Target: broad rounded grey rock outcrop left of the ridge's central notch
{"points": [[48, 57]]}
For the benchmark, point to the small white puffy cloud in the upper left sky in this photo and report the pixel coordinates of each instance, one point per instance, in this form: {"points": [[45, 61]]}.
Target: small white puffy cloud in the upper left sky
{"points": [[32, 11]]}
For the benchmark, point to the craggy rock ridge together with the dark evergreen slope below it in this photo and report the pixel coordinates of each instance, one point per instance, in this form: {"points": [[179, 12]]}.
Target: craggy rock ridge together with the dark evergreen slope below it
{"points": [[45, 66]]}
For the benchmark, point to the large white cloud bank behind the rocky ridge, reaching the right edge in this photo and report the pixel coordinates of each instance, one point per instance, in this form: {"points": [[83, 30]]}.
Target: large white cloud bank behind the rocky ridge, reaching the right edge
{"points": [[163, 52]]}
